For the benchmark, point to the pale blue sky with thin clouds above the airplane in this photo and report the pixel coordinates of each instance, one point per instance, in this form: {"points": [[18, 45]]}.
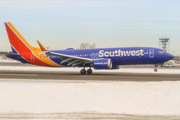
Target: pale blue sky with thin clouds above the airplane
{"points": [[61, 24]]}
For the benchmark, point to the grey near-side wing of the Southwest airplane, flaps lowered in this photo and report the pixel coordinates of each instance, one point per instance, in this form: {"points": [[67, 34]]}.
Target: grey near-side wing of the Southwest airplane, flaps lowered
{"points": [[73, 60]]}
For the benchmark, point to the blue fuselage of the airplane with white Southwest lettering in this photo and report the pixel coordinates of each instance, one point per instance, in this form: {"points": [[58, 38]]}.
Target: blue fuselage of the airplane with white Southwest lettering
{"points": [[119, 56]]}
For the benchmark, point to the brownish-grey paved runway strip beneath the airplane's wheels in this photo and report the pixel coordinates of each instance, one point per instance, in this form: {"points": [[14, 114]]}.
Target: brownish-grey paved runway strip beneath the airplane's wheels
{"points": [[60, 75]]}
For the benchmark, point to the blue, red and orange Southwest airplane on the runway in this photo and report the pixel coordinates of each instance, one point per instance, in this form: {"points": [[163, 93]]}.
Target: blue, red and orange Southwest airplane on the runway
{"points": [[99, 58]]}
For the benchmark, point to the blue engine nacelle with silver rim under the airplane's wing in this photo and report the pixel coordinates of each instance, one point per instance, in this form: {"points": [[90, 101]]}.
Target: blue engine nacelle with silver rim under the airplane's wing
{"points": [[102, 64]]}
